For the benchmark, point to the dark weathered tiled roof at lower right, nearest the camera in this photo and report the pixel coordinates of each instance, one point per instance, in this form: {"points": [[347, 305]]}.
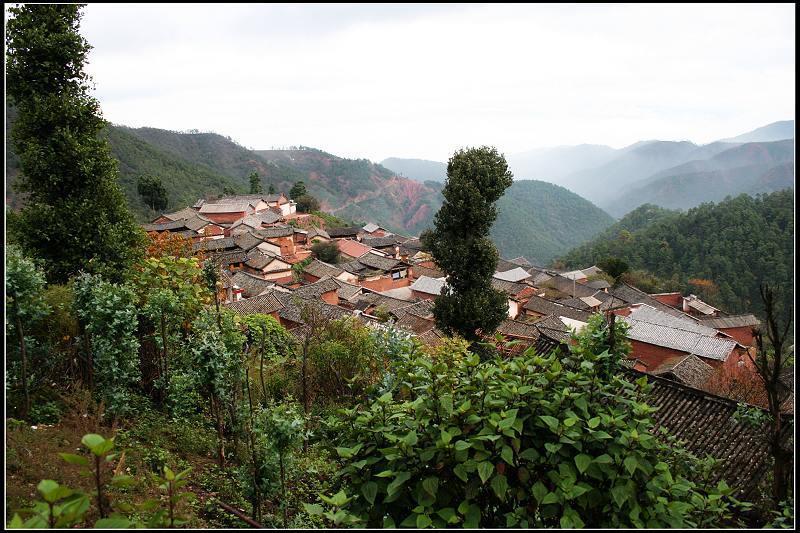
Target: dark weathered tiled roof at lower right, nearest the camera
{"points": [[707, 426]]}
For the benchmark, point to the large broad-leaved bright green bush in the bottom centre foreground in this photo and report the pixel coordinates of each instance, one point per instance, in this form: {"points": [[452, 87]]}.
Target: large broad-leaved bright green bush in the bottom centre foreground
{"points": [[532, 441]]}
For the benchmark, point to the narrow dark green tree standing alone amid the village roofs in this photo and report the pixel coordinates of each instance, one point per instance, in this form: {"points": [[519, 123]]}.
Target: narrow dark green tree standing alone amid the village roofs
{"points": [[460, 244]]}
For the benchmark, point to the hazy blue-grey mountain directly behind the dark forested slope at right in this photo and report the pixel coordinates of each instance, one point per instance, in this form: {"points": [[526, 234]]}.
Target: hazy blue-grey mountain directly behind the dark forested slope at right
{"points": [[751, 168]]}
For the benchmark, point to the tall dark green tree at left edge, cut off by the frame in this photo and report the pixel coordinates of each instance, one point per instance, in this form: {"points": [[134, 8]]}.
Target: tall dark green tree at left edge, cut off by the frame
{"points": [[75, 215]]}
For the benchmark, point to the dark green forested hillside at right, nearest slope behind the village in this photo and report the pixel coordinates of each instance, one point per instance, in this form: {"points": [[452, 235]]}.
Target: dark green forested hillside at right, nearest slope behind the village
{"points": [[737, 244]]}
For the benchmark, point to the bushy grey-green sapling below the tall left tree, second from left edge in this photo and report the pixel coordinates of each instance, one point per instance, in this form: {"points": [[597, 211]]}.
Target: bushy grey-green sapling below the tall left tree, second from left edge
{"points": [[109, 314]]}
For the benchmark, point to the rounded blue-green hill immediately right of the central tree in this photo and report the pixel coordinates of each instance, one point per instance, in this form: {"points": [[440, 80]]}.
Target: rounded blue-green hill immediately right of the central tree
{"points": [[540, 221]]}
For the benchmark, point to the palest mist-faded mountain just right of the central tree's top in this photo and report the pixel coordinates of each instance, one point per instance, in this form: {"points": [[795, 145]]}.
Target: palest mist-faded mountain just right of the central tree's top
{"points": [[553, 164]]}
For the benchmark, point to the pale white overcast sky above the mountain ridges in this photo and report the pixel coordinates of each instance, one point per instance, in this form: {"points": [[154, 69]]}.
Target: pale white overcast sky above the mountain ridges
{"points": [[421, 81]]}
